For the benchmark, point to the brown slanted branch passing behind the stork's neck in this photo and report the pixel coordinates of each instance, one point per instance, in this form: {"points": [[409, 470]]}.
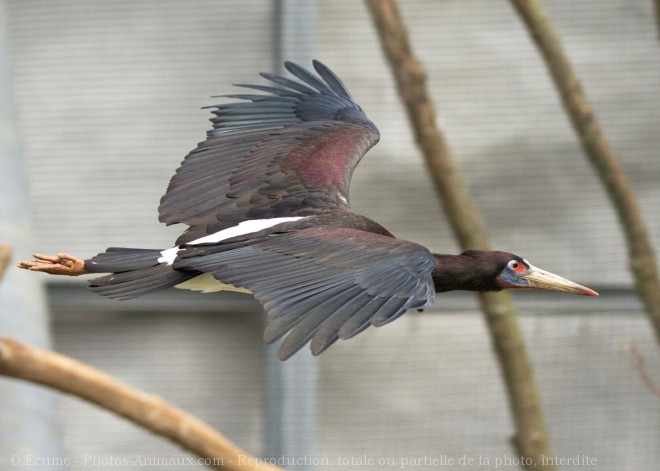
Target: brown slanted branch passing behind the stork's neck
{"points": [[531, 438]]}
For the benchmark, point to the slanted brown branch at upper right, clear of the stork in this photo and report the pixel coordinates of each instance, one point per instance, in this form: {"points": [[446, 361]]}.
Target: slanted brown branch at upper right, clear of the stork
{"points": [[599, 151]]}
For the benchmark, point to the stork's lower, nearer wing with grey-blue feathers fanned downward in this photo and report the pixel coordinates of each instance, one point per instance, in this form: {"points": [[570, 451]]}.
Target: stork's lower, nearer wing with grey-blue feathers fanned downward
{"points": [[322, 284]]}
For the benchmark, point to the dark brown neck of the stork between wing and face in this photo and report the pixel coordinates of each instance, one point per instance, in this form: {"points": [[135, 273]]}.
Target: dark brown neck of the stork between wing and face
{"points": [[461, 272]]}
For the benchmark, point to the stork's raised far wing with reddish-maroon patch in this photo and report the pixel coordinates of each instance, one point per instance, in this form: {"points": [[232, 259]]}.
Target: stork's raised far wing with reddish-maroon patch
{"points": [[276, 154]]}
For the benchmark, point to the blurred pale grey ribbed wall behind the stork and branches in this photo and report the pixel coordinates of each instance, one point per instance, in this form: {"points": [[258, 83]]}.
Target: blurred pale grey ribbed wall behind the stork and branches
{"points": [[109, 97]]}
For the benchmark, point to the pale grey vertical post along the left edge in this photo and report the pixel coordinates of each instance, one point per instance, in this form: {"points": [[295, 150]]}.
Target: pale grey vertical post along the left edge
{"points": [[27, 413]]}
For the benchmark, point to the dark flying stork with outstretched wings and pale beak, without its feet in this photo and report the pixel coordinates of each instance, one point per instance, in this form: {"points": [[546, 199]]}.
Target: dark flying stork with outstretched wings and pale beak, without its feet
{"points": [[266, 199]]}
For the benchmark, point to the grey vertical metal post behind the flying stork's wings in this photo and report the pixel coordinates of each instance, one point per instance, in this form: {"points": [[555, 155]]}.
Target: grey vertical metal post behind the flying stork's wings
{"points": [[291, 386]]}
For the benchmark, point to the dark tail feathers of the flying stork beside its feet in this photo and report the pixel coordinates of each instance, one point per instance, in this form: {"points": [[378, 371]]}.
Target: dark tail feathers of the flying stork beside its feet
{"points": [[133, 273]]}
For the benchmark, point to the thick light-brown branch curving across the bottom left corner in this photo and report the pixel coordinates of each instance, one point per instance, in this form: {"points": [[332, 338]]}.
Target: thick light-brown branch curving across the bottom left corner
{"points": [[149, 411]]}
